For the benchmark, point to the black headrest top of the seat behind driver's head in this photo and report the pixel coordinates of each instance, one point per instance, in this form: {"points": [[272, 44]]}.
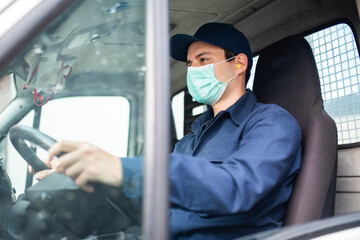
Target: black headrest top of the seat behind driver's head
{"points": [[286, 74]]}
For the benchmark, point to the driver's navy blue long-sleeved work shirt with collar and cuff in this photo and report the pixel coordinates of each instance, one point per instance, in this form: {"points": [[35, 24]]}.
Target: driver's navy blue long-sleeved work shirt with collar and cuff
{"points": [[233, 174]]}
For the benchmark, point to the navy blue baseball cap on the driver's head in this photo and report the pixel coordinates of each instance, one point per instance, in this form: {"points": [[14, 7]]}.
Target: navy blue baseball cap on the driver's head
{"points": [[219, 34]]}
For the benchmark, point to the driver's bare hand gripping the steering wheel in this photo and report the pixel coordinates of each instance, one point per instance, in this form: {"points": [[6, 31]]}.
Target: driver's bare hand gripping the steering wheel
{"points": [[85, 163]]}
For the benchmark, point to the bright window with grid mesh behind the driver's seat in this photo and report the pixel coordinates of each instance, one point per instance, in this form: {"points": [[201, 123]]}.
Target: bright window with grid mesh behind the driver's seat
{"points": [[338, 63]]}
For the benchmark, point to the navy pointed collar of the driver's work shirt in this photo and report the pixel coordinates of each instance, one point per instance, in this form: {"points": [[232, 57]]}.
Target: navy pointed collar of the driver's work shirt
{"points": [[238, 111]]}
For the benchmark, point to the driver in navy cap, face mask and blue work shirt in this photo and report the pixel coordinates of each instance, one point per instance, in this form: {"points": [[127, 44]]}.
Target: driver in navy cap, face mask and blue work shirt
{"points": [[233, 174]]}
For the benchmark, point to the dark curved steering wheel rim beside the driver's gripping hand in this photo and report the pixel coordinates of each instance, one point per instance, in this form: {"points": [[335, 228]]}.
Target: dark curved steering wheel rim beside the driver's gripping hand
{"points": [[18, 135]]}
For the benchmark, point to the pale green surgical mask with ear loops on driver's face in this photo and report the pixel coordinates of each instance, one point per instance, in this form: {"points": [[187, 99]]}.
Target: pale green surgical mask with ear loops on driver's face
{"points": [[202, 84]]}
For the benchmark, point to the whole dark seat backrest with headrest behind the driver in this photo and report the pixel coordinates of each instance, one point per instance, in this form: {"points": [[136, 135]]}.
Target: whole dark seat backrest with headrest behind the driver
{"points": [[286, 74]]}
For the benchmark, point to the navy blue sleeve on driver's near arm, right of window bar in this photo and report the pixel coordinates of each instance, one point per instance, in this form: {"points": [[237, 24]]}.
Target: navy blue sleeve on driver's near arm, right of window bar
{"points": [[268, 151]]}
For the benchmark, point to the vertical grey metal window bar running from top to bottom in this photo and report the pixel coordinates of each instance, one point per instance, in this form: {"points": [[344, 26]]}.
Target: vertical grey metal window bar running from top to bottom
{"points": [[157, 121]]}
